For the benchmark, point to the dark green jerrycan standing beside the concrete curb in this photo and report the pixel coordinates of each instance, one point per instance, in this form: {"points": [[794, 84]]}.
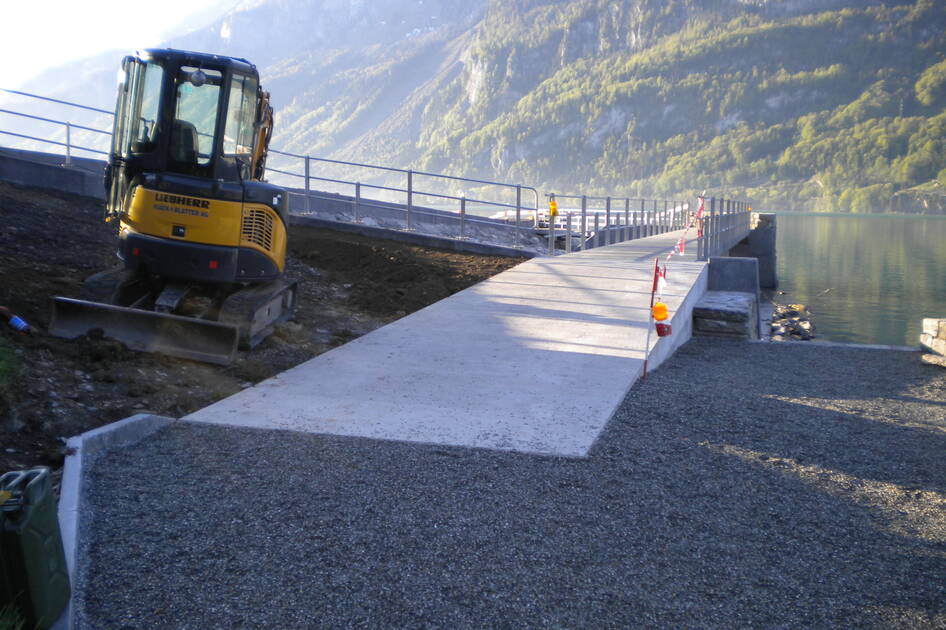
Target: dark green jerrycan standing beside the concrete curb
{"points": [[31, 547]]}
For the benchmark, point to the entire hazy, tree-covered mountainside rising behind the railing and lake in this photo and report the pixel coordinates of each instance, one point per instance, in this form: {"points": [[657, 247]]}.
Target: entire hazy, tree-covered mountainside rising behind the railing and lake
{"points": [[795, 104]]}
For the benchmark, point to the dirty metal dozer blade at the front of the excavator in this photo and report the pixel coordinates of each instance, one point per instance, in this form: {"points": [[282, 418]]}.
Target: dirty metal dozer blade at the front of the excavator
{"points": [[185, 337]]}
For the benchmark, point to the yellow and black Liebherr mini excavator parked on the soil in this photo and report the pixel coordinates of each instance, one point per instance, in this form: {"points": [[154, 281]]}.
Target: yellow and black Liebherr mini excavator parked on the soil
{"points": [[202, 238]]}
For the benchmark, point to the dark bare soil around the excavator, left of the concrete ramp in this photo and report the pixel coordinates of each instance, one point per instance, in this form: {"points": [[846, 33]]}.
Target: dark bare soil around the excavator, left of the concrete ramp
{"points": [[53, 388]]}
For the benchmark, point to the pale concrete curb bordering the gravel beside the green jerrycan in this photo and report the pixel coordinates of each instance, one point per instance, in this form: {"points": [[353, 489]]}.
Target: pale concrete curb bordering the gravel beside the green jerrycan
{"points": [[121, 433]]}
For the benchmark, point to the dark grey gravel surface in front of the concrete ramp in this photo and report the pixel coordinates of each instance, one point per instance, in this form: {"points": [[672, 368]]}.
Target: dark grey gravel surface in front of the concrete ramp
{"points": [[741, 486]]}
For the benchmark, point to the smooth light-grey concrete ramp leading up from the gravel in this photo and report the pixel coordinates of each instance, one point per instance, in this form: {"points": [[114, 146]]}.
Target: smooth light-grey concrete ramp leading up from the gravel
{"points": [[535, 359]]}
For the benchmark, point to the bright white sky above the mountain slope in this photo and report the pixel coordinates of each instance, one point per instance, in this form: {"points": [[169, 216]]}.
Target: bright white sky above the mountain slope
{"points": [[40, 34]]}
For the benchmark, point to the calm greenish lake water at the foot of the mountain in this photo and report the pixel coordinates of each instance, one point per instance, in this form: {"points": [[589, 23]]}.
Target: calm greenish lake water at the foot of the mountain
{"points": [[865, 278]]}
